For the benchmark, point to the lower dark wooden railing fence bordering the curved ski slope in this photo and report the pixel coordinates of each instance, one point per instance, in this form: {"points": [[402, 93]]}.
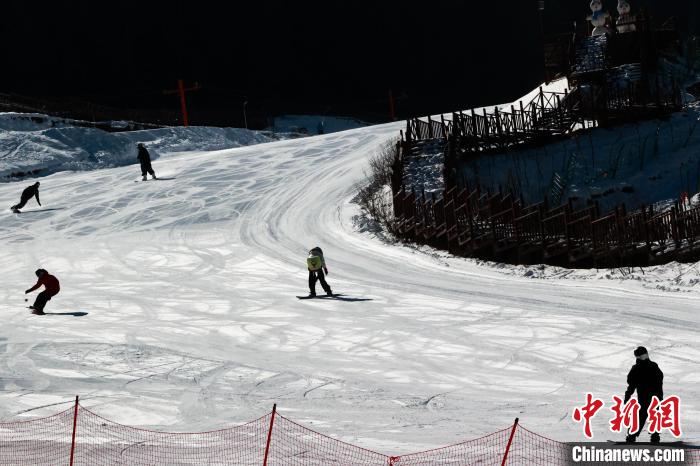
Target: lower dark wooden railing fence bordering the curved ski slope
{"points": [[499, 227]]}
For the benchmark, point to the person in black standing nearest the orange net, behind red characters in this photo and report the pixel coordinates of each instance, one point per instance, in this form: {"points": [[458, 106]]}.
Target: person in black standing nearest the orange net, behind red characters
{"points": [[645, 377]]}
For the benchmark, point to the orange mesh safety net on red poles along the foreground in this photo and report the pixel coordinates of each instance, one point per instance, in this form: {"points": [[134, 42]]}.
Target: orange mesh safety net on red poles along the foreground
{"points": [[270, 440]]}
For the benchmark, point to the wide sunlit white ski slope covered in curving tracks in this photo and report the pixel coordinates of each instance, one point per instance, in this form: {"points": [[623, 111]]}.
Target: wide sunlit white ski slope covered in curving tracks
{"points": [[192, 323]]}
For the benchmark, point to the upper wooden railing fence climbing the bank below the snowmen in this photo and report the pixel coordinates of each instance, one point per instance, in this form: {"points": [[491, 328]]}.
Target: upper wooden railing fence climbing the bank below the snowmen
{"points": [[548, 115]]}
